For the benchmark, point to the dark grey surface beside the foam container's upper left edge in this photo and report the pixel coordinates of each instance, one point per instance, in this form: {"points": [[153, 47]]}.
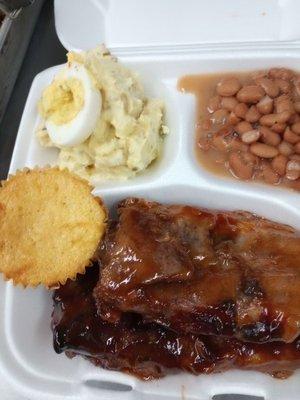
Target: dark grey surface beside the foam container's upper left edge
{"points": [[44, 51]]}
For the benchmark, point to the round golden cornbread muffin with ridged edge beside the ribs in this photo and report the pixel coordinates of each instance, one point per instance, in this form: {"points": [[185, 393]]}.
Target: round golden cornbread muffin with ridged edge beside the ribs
{"points": [[50, 226]]}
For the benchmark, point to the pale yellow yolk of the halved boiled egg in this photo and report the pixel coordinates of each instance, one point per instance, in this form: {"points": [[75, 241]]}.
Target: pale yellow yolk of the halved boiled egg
{"points": [[62, 100]]}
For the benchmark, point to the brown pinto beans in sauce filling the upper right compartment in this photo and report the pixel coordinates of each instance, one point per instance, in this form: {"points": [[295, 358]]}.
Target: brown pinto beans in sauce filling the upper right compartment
{"points": [[248, 124]]}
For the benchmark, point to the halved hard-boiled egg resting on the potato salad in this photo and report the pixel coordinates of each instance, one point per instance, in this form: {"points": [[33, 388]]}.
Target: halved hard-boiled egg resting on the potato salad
{"points": [[71, 106]]}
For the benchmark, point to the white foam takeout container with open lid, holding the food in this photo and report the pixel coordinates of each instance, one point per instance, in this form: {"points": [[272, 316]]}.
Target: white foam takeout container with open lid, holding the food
{"points": [[161, 40]]}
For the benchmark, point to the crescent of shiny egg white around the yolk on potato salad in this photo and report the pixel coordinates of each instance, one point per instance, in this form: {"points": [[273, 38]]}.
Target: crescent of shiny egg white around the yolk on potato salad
{"points": [[82, 125]]}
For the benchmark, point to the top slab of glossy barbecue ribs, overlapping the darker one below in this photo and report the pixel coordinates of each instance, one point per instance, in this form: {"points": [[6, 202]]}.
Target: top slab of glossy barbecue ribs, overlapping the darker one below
{"points": [[201, 272]]}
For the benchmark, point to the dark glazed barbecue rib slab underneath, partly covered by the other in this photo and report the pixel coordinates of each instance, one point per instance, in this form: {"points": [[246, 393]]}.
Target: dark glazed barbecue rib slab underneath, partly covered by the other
{"points": [[149, 350]]}
